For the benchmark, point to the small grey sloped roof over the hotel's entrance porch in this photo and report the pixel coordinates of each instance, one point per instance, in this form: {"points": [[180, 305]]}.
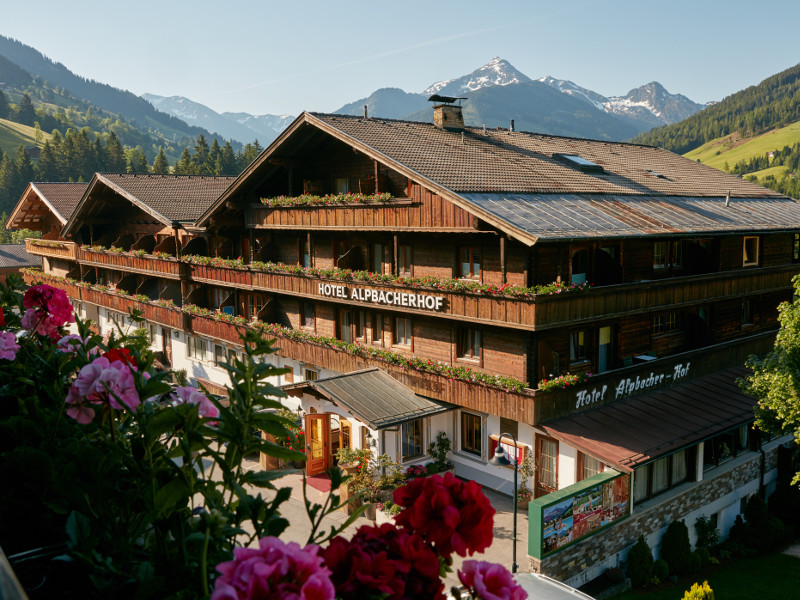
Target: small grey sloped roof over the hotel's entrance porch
{"points": [[372, 396]]}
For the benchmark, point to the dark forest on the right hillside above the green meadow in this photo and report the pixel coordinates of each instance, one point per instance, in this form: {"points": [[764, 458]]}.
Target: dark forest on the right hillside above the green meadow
{"points": [[773, 103]]}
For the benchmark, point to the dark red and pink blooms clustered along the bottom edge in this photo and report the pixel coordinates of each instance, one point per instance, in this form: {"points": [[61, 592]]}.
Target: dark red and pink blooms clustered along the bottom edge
{"points": [[404, 560]]}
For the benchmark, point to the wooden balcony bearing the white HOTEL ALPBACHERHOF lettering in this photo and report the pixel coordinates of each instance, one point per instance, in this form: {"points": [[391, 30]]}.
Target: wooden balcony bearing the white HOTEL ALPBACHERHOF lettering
{"points": [[535, 312]]}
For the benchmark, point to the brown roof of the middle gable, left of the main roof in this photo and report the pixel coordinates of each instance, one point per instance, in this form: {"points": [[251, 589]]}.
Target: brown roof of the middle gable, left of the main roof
{"points": [[169, 198]]}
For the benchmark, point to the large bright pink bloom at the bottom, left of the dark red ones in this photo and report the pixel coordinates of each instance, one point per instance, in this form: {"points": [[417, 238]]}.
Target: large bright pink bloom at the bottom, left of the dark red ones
{"points": [[276, 570]]}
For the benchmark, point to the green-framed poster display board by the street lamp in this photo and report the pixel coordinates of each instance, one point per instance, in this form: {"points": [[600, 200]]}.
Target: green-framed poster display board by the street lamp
{"points": [[569, 515]]}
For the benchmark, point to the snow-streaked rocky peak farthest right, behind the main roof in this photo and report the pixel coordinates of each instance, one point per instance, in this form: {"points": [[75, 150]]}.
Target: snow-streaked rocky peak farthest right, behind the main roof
{"points": [[650, 104]]}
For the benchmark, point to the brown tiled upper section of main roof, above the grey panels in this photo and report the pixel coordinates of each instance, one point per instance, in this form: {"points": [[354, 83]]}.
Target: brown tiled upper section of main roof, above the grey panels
{"points": [[503, 161]]}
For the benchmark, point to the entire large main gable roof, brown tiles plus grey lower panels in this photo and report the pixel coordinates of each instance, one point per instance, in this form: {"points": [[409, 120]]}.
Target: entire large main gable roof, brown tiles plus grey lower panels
{"points": [[523, 184]]}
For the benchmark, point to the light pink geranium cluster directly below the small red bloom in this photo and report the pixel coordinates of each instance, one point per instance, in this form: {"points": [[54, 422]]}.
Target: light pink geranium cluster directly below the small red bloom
{"points": [[98, 382]]}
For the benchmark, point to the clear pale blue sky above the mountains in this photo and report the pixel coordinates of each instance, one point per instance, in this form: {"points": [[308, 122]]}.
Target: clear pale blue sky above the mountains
{"points": [[285, 57]]}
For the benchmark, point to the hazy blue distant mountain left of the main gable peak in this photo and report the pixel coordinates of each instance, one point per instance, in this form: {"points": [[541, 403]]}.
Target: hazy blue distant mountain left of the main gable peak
{"points": [[242, 127]]}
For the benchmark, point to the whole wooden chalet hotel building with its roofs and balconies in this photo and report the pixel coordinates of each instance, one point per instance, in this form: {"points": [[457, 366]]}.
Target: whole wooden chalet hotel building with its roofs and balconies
{"points": [[511, 282]]}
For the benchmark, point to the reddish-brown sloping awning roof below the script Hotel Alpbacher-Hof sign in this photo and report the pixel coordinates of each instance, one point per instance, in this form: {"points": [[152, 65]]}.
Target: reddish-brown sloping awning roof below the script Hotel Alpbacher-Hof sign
{"points": [[631, 432]]}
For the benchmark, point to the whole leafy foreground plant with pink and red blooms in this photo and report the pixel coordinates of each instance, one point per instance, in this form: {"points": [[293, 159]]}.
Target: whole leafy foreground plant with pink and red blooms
{"points": [[123, 486]]}
